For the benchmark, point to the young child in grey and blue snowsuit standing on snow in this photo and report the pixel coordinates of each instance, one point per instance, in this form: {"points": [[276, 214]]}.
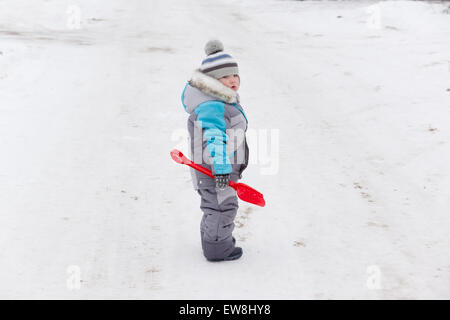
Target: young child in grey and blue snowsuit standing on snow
{"points": [[217, 126]]}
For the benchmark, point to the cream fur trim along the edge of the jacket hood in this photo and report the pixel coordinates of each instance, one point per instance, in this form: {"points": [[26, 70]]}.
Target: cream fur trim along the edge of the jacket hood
{"points": [[213, 87]]}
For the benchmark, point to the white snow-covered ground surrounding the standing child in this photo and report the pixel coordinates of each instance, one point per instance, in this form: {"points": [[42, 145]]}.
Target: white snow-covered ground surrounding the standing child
{"points": [[357, 185]]}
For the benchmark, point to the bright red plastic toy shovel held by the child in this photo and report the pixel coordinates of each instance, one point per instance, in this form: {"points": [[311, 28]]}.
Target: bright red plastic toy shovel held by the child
{"points": [[244, 192]]}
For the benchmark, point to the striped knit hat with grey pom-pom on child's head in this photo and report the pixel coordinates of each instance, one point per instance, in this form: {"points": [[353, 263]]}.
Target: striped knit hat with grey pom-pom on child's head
{"points": [[218, 64]]}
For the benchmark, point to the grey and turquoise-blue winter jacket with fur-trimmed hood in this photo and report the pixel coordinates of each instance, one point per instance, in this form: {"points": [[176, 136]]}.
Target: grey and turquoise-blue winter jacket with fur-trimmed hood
{"points": [[217, 125]]}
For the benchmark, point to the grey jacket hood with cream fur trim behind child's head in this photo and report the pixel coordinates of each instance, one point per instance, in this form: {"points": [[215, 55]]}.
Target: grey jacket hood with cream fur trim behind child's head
{"points": [[202, 88]]}
